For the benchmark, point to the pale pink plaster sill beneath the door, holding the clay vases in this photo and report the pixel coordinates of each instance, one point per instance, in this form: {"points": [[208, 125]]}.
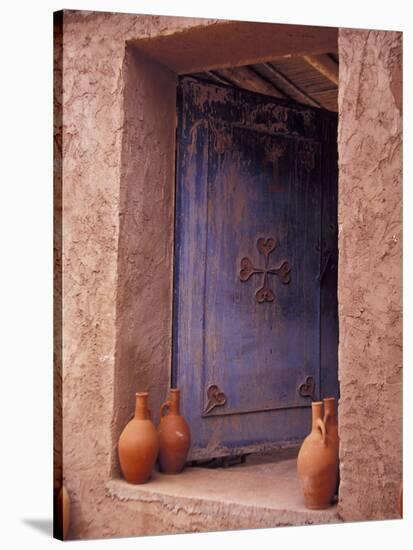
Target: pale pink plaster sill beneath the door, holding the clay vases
{"points": [[263, 492]]}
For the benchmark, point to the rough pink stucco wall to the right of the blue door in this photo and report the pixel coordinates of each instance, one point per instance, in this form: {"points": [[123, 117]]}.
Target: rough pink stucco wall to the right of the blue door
{"points": [[370, 273]]}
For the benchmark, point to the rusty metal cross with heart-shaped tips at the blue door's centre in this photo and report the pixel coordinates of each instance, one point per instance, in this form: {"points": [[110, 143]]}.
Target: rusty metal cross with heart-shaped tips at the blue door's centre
{"points": [[265, 294]]}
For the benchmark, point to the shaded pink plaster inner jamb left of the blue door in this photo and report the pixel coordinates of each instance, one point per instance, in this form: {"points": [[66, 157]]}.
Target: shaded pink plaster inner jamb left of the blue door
{"points": [[145, 254]]}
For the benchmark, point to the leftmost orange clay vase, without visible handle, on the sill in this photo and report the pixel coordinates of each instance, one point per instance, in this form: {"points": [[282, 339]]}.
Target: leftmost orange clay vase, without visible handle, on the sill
{"points": [[138, 444]]}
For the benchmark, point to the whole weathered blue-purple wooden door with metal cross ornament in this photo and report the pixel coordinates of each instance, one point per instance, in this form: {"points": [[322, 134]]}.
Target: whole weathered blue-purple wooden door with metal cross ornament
{"points": [[255, 307]]}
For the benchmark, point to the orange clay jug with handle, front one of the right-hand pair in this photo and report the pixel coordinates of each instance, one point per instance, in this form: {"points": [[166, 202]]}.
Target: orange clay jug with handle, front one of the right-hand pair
{"points": [[317, 463]]}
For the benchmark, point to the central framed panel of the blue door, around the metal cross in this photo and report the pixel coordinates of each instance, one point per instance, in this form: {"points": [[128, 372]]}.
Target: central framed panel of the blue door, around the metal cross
{"points": [[248, 340]]}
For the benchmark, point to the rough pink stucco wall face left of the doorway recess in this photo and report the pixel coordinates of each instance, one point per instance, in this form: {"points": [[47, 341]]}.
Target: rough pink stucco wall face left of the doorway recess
{"points": [[94, 46]]}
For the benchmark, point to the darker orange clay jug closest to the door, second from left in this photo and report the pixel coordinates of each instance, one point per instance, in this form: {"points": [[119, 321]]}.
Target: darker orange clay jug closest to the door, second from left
{"points": [[174, 436]]}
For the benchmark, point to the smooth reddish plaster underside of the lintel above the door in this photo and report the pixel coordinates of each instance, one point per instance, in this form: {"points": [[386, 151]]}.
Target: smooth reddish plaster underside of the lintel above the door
{"points": [[235, 43]]}
